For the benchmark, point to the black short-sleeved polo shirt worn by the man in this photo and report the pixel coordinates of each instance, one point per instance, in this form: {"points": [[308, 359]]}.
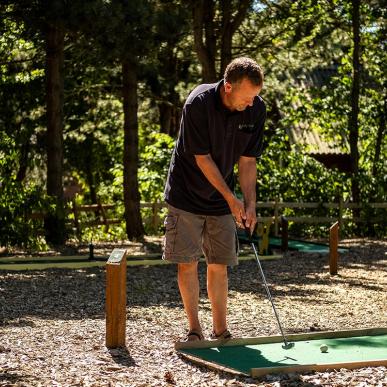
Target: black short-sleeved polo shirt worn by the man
{"points": [[208, 127]]}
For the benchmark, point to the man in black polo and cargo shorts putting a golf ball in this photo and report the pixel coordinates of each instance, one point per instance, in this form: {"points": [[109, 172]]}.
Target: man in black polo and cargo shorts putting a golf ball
{"points": [[222, 125]]}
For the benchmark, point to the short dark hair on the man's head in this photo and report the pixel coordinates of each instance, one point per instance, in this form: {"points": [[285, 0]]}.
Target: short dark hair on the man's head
{"points": [[241, 68]]}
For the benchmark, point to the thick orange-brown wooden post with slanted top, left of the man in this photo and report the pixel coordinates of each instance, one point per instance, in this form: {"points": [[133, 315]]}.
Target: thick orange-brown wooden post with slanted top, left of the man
{"points": [[116, 299]]}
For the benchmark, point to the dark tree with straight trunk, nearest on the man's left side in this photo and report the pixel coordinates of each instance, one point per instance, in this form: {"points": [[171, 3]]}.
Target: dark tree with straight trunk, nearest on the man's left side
{"points": [[125, 40]]}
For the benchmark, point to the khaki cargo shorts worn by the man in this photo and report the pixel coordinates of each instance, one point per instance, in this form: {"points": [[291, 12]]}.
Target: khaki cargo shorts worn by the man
{"points": [[188, 236]]}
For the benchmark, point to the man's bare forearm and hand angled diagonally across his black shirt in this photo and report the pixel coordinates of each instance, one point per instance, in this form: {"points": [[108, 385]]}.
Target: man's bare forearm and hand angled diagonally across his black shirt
{"points": [[213, 175]]}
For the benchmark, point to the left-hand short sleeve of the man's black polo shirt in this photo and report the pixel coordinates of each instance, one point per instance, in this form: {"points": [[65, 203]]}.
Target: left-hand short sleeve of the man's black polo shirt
{"points": [[195, 128]]}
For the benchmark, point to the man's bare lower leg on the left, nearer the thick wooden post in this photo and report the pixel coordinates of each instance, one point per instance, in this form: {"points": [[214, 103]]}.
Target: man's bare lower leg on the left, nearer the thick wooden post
{"points": [[189, 290]]}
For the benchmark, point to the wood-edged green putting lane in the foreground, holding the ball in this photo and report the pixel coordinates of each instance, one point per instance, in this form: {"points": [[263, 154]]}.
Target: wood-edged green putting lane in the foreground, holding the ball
{"points": [[265, 355]]}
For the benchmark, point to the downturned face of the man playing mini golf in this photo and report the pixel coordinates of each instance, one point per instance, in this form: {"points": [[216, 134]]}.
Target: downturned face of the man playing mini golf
{"points": [[240, 95]]}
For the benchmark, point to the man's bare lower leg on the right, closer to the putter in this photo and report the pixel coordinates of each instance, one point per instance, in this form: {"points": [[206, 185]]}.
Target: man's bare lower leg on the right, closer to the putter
{"points": [[217, 288]]}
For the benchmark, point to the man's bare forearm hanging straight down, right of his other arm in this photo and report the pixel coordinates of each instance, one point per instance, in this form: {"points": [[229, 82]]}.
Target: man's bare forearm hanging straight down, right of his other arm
{"points": [[248, 180]]}
